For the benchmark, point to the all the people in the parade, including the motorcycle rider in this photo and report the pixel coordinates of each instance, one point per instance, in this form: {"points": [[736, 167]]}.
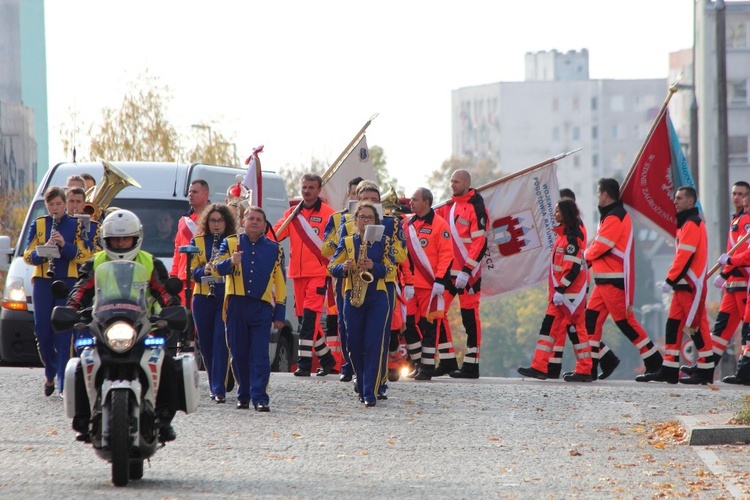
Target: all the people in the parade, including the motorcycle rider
{"points": [[385, 275]]}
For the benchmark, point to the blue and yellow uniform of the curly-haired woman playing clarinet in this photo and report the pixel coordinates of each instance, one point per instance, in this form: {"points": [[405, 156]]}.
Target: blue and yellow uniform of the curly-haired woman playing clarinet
{"points": [[208, 316]]}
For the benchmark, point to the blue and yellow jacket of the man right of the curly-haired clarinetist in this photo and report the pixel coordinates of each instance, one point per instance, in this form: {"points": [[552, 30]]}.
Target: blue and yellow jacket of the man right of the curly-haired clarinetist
{"points": [[260, 275]]}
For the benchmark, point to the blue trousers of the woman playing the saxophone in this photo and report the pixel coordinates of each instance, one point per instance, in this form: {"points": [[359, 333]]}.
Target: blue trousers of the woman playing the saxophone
{"points": [[368, 333]]}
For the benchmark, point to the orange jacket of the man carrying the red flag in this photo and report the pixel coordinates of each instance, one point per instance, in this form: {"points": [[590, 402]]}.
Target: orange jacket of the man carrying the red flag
{"points": [[611, 252]]}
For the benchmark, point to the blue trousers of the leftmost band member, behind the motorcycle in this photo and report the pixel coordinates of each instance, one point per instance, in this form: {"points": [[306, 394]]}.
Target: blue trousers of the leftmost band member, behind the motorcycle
{"points": [[54, 348]]}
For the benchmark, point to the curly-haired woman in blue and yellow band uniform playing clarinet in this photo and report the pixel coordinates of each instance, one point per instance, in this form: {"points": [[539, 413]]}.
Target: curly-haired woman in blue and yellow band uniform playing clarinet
{"points": [[214, 224]]}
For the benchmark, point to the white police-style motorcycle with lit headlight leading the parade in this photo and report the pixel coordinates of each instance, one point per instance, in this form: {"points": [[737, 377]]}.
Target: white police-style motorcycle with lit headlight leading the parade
{"points": [[120, 363]]}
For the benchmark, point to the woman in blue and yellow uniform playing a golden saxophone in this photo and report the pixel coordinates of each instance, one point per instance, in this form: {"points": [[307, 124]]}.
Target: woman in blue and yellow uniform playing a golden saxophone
{"points": [[360, 260]]}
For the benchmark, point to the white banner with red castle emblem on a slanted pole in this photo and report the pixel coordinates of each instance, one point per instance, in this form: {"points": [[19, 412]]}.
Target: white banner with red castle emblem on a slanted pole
{"points": [[519, 235]]}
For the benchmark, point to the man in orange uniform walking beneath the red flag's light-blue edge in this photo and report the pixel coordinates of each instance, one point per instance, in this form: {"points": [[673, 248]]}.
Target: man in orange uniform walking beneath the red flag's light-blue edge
{"points": [[687, 277]]}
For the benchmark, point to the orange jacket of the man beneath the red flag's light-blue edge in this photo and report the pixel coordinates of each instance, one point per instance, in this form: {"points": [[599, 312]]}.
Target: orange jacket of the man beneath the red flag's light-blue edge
{"points": [[689, 264]]}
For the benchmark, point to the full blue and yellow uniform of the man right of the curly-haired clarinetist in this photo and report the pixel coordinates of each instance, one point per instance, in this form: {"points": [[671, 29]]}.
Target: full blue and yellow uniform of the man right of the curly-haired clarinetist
{"points": [[255, 297]]}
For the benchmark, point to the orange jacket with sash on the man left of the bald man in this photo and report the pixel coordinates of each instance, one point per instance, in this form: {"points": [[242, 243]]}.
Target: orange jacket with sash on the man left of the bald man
{"points": [[433, 235]]}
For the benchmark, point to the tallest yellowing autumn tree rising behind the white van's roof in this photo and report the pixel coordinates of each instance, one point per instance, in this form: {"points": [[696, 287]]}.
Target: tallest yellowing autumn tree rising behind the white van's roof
{"points": [[139, 130]]}
